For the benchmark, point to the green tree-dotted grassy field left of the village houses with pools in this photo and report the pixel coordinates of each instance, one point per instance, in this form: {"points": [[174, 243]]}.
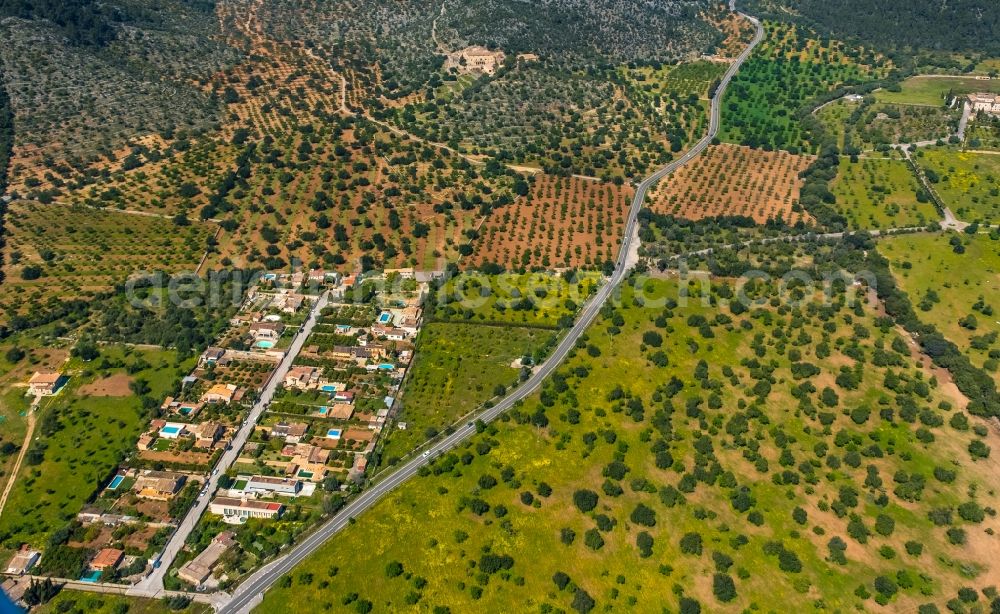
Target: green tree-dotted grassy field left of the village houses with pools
{"points": [[81, 439]]}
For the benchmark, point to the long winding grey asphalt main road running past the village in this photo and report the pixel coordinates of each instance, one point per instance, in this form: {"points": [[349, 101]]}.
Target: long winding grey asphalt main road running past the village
{"points": [[249, 593]]}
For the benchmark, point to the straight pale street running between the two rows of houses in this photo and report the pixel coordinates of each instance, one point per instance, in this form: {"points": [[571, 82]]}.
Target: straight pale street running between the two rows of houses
{"points": [[152, 585]]}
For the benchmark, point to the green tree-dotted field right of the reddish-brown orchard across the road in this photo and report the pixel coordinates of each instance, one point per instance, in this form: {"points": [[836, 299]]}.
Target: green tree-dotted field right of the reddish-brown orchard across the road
{"points": [[880, 193]]}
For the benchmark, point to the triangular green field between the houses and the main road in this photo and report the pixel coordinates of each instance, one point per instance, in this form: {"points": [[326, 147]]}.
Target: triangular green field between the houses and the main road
{"points": [[458, 367]]}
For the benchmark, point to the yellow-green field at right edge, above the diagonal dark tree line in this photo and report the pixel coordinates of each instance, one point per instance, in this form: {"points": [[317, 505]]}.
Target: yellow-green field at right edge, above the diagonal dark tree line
{"points": [[946, 286]]}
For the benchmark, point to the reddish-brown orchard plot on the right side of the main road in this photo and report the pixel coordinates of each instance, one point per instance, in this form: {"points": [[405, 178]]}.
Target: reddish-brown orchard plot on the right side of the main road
{"points": [[730, 180]]}
